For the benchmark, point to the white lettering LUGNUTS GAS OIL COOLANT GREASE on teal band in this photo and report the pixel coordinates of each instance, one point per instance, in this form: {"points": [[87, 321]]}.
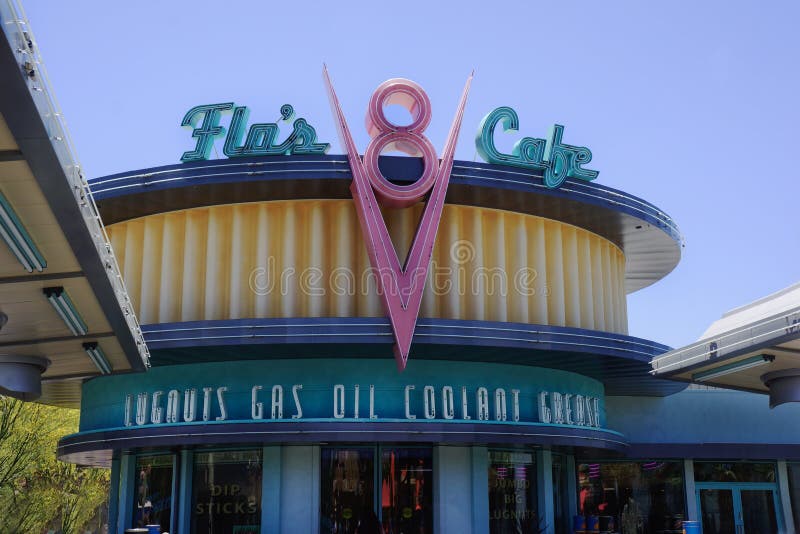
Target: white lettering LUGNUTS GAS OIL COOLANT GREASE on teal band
{"points": [[290, 403]]}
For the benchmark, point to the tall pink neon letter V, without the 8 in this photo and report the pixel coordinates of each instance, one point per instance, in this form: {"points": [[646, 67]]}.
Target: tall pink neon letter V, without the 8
{"points": [[401, 287]]}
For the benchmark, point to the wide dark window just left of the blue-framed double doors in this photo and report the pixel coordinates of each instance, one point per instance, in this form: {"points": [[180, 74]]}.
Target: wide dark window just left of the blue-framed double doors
{"points": [[632, 498]]}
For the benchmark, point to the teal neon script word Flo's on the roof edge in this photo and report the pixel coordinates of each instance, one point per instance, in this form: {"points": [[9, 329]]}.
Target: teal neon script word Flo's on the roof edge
{"points": [[260, 140]]}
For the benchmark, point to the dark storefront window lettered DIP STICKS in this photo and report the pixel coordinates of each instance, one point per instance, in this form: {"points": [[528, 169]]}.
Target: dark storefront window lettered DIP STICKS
{"points": [[226, 492]]}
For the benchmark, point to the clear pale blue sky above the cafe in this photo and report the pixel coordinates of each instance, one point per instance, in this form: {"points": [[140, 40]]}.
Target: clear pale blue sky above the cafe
{"points": [[689, 105]]}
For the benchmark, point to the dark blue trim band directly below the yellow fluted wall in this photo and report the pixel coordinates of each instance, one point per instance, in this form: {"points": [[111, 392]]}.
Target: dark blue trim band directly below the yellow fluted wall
{"points": [[621, 362]]}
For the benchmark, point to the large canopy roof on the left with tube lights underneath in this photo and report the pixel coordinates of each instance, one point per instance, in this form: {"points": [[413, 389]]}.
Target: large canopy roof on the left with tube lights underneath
{"points": [[60, 288]]}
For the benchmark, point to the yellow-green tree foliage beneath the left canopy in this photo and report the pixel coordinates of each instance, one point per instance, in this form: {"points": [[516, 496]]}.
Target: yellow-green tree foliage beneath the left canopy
{"points": [[37, 492]]}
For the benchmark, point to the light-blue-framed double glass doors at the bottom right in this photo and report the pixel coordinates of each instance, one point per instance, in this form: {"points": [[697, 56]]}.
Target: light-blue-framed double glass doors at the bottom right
{"points": [[737, 510]]}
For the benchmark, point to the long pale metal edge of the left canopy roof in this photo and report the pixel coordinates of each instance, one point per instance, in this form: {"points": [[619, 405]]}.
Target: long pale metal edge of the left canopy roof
{"points": [[32, 115]]}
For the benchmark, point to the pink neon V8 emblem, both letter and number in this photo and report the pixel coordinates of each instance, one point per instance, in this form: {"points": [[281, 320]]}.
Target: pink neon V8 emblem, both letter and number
{"points": [[400, 286]]}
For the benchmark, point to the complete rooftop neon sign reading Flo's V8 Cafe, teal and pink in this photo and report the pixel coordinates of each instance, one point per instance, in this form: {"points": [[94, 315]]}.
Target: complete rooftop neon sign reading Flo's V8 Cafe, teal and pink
{"points": [[400, 286]]}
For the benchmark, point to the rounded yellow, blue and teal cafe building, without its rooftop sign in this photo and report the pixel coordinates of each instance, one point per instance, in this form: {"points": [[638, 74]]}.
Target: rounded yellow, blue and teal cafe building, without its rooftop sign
{"points": [[523, 404]]}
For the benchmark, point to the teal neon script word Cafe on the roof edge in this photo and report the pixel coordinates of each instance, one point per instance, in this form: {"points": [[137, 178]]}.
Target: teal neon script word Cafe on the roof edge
{"points": [[557, 161]]}
